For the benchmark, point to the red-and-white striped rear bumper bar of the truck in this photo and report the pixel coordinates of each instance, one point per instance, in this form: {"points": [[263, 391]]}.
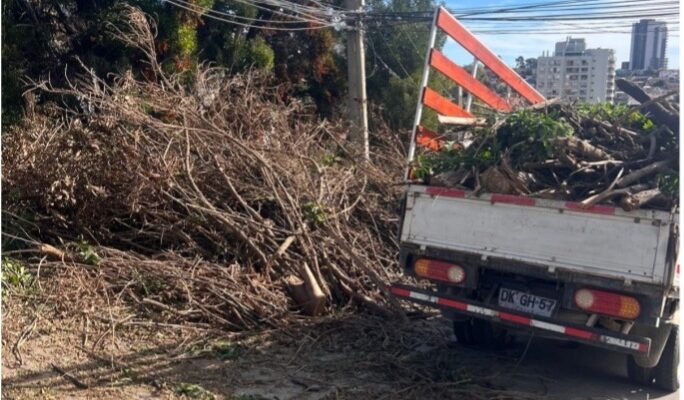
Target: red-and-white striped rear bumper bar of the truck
{"points": [[596, 337]]}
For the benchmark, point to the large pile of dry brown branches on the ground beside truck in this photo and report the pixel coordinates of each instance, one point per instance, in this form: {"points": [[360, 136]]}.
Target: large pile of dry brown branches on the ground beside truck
{"points": [[212, 199]]}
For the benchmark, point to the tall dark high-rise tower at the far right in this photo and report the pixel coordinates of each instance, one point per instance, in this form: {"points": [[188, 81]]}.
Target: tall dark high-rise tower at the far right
{"points": [[649, 41]]}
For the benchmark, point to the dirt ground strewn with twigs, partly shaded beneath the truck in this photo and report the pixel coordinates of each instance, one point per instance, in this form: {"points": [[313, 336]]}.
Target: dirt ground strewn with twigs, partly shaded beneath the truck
{"points": [[346, 356]]}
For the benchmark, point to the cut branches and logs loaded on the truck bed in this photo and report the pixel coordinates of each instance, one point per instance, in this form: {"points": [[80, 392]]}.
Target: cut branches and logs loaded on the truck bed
{"points": [[593, 154]]}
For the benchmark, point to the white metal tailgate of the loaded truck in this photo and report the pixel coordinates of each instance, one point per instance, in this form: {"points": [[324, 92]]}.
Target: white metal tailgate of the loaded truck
{"points": [[601, 240]]}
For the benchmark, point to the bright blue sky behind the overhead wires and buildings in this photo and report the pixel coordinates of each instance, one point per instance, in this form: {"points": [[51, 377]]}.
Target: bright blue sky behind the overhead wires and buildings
{"points": [[511, 45]]}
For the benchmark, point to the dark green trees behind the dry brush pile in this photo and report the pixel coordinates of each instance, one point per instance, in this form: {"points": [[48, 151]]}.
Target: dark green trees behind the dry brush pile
{"points": [[45, 38]]}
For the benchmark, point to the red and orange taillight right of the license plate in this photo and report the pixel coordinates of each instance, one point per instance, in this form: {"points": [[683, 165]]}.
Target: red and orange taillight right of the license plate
{"points": [[605, 303]]}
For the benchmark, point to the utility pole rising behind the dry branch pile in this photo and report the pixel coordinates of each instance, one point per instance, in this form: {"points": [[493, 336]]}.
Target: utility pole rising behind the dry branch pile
{"points": [[356, 70]]}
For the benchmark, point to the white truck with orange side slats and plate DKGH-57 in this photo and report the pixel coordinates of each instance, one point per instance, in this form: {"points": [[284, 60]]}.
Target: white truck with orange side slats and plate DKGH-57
{"points": [[502, 263]]}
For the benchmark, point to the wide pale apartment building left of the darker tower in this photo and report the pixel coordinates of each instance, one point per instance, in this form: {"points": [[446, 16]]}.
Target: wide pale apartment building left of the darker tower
{"points": [[576, 73]]}
